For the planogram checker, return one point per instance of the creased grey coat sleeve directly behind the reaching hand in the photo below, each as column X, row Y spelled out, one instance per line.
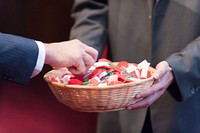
column 90, row 23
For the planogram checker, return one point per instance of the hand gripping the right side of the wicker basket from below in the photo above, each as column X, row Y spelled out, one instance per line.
column 163, row 78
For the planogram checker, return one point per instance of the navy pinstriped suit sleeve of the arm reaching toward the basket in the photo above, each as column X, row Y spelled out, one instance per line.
column 18, row 57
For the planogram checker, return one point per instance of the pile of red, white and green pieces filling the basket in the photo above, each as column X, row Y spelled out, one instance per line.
column 105, row 73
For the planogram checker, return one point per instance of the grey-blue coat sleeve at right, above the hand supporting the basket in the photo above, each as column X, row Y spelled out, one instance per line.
column 186, row 69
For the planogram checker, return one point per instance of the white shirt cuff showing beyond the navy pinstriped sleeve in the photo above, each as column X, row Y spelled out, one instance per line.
column 40, row 59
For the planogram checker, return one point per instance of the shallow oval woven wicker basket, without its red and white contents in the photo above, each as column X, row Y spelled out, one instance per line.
column 93, row 98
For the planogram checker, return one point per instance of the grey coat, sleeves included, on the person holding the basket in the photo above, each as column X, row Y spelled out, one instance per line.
column 135, row 30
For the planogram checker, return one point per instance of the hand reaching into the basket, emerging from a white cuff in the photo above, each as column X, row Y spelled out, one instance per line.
column 75, row 55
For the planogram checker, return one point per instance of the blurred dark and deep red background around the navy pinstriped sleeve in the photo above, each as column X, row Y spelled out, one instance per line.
column 33, row 108
